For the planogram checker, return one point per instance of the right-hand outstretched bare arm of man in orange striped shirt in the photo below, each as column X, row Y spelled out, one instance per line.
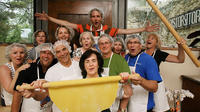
column 148, row 28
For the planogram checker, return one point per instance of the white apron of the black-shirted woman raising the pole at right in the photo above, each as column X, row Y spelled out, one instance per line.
column 160, row 97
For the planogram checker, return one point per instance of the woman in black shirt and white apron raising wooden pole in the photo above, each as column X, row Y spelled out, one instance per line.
column 153, row 45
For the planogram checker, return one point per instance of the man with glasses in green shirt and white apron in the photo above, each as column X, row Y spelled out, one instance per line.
column 114, row 64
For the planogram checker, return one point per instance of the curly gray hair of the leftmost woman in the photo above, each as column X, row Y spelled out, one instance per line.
column 10, row 47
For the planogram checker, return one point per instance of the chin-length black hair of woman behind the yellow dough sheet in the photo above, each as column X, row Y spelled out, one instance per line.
column 86, row 55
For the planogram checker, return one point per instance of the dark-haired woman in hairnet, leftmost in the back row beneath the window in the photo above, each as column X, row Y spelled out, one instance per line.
column 39, row 37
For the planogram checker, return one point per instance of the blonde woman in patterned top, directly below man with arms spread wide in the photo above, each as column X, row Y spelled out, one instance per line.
column 87, row 41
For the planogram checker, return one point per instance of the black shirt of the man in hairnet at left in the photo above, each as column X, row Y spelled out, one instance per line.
column 30, row 74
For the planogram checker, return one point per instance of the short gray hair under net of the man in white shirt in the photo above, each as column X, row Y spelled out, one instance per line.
column 61, row 42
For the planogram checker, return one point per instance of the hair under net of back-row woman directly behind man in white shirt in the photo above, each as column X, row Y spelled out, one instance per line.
column 70, row 30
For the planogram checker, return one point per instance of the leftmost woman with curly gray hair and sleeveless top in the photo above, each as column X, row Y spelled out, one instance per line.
column 16, row 55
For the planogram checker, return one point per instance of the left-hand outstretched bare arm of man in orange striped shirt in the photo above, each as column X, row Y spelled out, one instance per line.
column 44, row 16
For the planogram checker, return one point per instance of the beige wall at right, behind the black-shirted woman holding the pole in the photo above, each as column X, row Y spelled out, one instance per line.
column 171, row 72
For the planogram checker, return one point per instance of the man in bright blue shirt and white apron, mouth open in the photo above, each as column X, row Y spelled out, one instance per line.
column 145, row 84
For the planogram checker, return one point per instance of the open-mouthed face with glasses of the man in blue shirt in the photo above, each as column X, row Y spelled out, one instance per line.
column 134, row 46
